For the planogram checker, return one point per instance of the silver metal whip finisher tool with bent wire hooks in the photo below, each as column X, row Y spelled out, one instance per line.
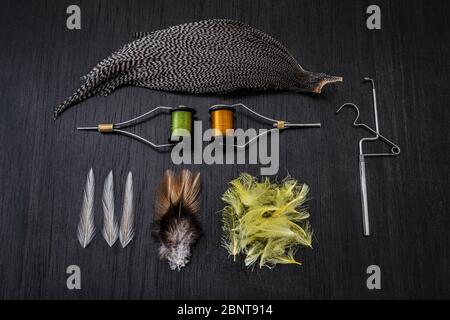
column 394, row 151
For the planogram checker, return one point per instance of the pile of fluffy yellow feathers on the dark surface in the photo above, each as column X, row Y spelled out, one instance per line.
column 265, row 220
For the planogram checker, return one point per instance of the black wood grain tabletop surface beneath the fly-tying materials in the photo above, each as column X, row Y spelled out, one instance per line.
column 44, row 163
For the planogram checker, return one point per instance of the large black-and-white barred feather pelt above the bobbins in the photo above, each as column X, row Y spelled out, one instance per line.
column 210, row 56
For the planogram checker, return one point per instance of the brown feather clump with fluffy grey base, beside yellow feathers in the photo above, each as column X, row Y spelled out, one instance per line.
column 177, row 206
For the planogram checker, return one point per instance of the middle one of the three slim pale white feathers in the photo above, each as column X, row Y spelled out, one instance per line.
column 110, row 228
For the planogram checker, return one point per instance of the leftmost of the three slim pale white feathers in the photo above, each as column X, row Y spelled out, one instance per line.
column 86, row 226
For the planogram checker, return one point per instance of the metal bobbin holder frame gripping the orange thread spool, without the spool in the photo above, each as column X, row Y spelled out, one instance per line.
column 276, row 124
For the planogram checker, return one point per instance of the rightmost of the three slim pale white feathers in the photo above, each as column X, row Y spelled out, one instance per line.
column 127, row 222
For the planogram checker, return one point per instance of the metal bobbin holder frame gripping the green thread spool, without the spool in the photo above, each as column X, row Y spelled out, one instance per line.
column 118, row 127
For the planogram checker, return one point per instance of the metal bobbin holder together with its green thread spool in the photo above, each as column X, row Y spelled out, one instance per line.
column 180, row 125
